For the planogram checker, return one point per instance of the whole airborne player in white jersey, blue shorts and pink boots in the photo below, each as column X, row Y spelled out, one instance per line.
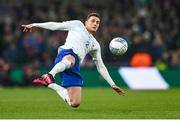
column 79, row 42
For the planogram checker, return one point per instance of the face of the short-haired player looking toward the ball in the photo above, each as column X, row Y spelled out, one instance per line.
column 92, row 24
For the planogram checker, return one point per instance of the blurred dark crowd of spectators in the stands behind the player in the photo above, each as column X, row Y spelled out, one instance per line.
column 151, row 27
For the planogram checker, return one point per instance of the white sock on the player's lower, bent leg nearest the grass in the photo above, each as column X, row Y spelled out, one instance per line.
column 62, row 92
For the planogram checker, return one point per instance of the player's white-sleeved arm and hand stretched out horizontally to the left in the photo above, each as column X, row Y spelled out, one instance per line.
column 65, row 26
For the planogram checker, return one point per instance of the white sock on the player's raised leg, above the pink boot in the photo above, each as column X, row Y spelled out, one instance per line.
column 59, row 67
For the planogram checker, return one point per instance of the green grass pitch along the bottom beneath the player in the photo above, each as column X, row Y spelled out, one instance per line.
column 96, row 103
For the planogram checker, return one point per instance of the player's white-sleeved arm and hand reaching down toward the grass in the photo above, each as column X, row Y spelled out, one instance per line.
column 104, row 72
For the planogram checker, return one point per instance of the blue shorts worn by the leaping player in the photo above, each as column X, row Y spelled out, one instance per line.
column 70, row 77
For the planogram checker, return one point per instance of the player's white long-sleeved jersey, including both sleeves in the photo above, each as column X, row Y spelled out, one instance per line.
column 81, row 41
